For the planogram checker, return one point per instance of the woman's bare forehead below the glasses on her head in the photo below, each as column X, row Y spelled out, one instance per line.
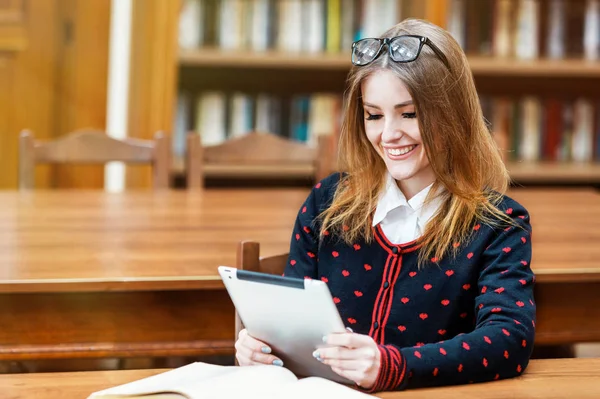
column 383, row 87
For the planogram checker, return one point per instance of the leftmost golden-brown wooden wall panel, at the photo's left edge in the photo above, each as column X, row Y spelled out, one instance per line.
column 28, row 37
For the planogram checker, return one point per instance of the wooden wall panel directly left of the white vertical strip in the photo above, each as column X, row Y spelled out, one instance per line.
column 82, row 81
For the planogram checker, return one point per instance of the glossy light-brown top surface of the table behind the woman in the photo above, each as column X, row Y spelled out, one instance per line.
column 92, row 240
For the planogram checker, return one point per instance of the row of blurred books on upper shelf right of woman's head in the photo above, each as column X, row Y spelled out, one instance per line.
column 527, row 29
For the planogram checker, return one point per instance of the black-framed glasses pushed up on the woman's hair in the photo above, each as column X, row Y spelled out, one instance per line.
column 405, row 48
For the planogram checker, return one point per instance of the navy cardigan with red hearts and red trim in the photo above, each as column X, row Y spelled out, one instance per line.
column 465, row 319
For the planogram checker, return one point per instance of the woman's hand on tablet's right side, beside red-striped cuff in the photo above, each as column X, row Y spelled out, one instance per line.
column 353, row 356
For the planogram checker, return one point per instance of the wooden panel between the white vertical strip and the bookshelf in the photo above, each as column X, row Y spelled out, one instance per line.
column 153, row 75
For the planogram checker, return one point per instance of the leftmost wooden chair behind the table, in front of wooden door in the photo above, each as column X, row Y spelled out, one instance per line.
column 93, row 146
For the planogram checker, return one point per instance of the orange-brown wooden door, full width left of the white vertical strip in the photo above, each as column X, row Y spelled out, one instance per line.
column 53, row 79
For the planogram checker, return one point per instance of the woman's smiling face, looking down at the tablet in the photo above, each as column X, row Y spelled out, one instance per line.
column 391, row 126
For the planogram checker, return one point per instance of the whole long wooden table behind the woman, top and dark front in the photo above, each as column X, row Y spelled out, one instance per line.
column 93, row 274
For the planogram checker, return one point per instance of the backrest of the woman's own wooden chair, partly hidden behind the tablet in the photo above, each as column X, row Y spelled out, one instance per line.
column 248, row 258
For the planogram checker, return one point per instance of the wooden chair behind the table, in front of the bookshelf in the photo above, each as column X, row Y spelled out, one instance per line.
column 257, row 155
